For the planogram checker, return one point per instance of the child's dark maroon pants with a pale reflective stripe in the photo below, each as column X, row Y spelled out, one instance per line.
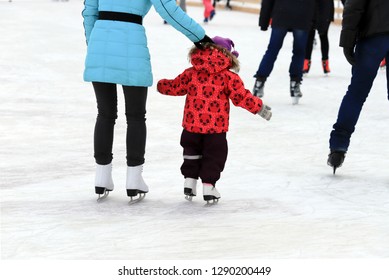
column 204, row 155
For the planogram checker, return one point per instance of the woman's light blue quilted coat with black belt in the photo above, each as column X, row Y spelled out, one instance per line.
column 117, row 51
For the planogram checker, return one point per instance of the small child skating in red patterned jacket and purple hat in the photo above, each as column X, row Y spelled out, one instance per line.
column 209, row 85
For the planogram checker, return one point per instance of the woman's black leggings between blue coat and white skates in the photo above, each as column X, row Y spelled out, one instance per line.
column 135, row 103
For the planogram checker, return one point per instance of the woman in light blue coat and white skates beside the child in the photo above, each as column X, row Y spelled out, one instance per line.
column 117, row 53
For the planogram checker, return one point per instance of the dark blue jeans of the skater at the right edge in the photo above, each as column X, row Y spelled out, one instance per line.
column 368, row 55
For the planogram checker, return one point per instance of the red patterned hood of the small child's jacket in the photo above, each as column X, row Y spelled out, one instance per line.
column 211, row 60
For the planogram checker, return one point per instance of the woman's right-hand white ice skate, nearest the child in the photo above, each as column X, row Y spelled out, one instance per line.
column 136, row 186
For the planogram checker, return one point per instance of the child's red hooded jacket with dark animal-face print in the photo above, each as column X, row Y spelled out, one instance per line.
column 208, row 86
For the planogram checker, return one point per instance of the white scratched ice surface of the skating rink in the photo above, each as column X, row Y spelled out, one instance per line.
column 279, row 197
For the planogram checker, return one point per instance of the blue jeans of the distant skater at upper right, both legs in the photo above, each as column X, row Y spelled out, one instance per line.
column 276, row 40
